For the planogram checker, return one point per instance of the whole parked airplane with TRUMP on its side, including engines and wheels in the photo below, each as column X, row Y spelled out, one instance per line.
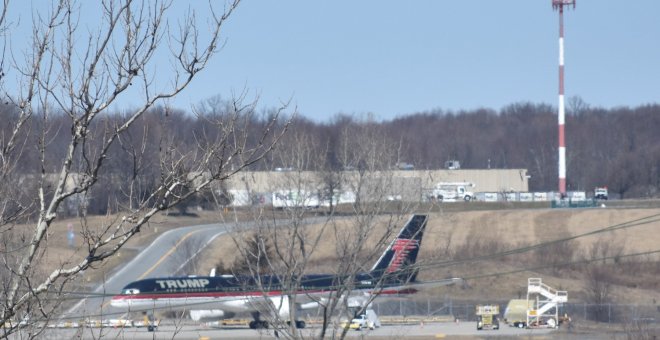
column 211, row 298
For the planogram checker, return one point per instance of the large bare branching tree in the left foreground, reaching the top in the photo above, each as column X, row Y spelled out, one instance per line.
column 73, row 76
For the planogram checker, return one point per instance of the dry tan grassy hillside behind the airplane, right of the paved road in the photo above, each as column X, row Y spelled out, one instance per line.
column 464, row 235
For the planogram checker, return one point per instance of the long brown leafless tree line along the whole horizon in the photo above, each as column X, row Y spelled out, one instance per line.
column 618, row 148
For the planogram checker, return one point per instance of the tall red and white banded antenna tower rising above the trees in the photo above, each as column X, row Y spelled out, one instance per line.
column 559, row 5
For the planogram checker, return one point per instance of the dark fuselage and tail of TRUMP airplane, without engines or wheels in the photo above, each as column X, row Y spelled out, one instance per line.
column 391, row 274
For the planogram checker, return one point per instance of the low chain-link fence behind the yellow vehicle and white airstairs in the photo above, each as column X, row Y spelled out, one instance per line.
column 461, row 310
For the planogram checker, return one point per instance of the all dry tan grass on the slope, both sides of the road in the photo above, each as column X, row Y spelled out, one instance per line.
column 459, row 231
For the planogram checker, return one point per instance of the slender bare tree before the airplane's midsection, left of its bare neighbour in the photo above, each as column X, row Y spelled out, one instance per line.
column 294, row 243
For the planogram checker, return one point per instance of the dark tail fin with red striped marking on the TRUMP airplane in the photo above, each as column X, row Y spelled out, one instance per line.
column 396, row 262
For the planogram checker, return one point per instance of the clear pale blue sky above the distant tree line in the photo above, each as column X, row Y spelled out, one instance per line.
column 392, row 58
